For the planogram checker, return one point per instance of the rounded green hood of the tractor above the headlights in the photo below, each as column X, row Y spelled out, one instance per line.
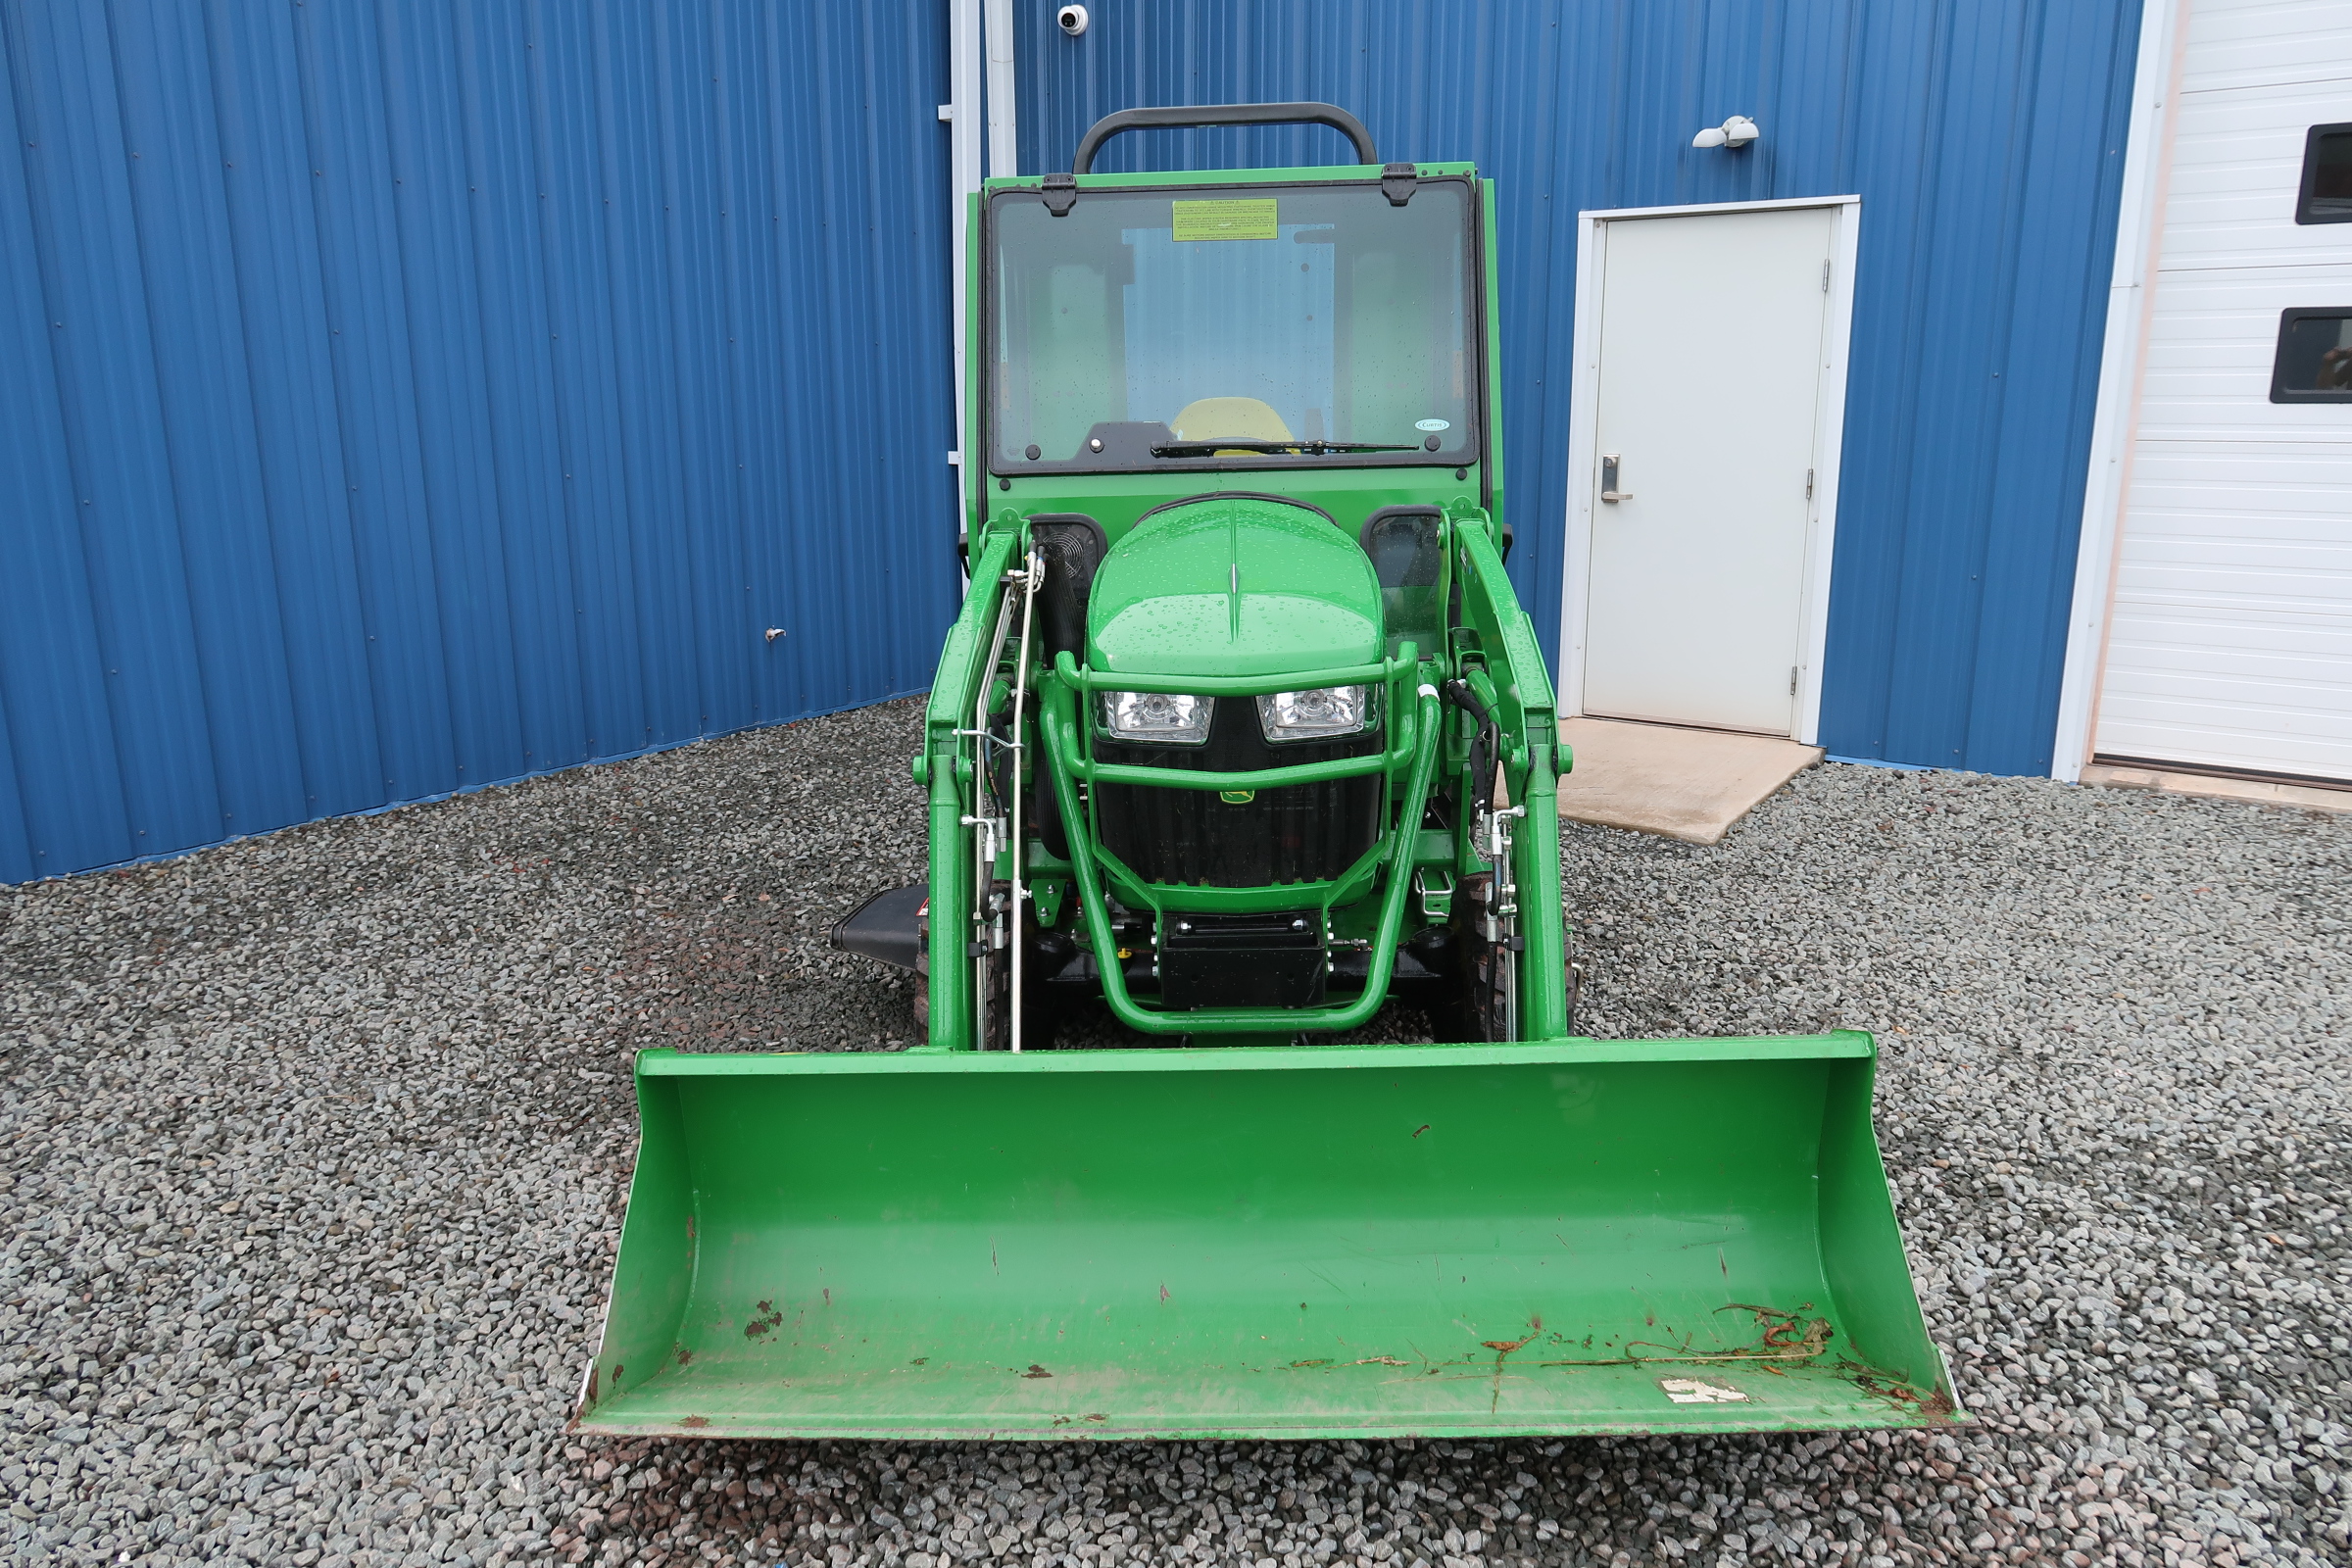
column 1234, row 587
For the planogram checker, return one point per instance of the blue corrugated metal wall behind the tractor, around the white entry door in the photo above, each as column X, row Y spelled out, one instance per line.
column 1986, row 142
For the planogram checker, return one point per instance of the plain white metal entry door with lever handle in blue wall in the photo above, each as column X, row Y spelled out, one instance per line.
column 1709, row 401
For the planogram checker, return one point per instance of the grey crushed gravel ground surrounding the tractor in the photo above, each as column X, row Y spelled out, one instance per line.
column 316, row 1151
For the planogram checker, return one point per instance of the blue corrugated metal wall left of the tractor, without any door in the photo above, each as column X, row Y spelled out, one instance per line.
column 410, row 396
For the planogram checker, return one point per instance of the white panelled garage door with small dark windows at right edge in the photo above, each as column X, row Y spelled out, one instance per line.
column 2231, row 643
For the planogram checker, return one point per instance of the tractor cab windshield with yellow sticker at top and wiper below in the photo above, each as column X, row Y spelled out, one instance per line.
column 1274, row 323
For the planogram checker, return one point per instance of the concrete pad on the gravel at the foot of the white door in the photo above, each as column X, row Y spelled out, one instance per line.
column 1681, row 784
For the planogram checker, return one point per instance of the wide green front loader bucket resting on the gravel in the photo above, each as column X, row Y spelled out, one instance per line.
column 1568, row 1238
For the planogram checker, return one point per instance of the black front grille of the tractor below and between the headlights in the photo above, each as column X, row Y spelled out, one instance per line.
column 1302, row 833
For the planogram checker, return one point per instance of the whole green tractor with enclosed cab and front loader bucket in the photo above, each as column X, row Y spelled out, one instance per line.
column 1238, row 746
